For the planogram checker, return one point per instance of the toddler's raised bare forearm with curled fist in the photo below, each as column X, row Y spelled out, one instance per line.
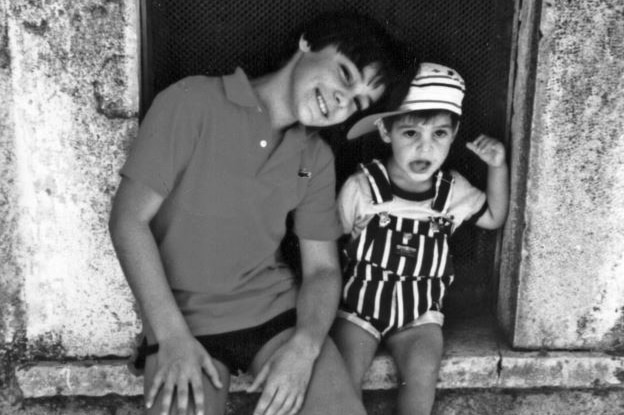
column 492, row 152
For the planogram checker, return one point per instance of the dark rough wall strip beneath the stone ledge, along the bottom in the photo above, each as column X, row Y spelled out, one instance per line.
column 458, row 402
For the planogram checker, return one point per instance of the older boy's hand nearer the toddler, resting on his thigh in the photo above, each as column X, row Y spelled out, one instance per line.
column 285, row 377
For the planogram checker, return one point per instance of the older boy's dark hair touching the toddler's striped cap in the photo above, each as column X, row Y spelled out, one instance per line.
column 364, row 41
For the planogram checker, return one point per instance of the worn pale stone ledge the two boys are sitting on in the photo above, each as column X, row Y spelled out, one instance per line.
column 474, row 358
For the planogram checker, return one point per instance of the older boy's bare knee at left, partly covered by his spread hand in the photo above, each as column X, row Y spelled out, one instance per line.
column 214, row 399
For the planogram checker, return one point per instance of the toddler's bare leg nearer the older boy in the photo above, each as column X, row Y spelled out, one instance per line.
column 357, row 347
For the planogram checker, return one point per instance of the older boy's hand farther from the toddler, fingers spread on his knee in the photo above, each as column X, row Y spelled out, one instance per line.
column 181, row 360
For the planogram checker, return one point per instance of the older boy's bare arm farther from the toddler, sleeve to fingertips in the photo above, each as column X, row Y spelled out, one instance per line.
column 180, row 358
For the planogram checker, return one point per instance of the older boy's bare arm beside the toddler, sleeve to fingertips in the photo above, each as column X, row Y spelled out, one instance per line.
column 289, row 370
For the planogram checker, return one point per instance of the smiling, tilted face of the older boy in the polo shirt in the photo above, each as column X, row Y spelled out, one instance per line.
column 327, row 87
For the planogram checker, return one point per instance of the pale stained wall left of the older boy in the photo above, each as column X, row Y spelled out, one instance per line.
column 69, row 73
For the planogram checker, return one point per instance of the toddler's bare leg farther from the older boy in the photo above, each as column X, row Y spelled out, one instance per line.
column 417, row 352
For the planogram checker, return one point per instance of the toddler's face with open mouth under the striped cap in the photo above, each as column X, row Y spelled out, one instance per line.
column 419, row 147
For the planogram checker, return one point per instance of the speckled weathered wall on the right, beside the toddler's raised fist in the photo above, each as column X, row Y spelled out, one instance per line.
column 571, row 285
